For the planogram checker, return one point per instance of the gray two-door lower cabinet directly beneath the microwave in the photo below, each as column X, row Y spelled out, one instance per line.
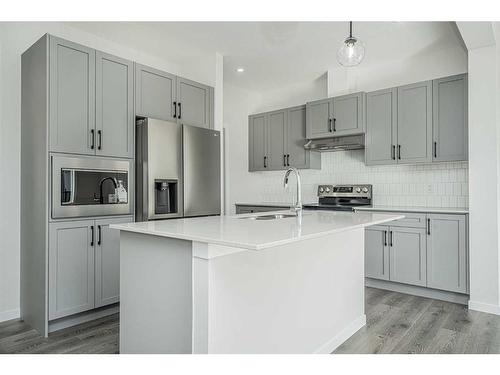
column 84, row 265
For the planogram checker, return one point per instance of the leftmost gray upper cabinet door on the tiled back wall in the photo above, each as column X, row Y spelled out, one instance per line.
column 257, row 159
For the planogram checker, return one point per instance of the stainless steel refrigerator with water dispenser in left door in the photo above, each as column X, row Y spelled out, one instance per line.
column 178, row 170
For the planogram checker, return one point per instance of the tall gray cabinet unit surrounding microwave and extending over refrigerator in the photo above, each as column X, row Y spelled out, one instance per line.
column 81, row 103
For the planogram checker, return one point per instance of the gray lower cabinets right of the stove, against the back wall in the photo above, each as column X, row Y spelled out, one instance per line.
column 428, row 250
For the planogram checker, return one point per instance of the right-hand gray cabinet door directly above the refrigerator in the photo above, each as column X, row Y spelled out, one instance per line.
column 193, row 103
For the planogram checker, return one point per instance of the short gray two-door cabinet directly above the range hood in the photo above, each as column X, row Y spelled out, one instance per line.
column 335, row 117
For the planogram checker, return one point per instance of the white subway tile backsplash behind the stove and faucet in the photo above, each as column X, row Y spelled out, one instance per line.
column 432, row 185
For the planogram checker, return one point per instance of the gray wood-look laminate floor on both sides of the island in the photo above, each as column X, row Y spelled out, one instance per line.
column 396, row 323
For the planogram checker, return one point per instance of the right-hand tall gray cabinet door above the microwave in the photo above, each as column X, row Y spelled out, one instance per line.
column 114, row 106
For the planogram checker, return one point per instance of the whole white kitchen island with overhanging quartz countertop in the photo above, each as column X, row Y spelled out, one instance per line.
column 244, row 283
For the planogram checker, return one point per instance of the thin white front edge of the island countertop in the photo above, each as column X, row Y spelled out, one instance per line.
column 247, row 246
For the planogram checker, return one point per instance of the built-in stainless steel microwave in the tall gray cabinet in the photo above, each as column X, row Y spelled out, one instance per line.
column 90, row 186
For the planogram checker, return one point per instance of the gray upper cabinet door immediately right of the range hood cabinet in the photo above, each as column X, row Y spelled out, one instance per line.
column 381, row 127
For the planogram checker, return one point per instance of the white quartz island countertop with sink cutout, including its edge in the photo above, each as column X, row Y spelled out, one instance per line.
column 238, row 231
